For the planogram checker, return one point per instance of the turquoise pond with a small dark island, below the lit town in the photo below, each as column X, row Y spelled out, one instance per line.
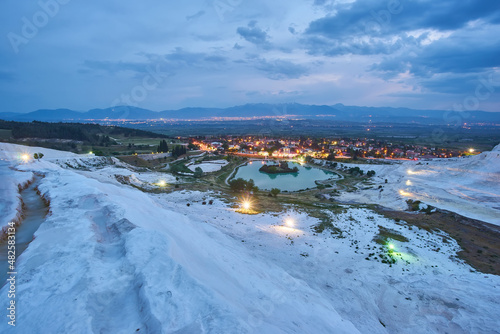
column 304, row 179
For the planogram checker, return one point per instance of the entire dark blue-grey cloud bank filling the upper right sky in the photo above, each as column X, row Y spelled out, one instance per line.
column 457, row 41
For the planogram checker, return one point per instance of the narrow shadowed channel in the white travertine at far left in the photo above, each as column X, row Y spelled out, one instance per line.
column 34, row 214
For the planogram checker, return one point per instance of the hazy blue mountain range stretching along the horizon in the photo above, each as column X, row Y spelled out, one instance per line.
column 338, row 112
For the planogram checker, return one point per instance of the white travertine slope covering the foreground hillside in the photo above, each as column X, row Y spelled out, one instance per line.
column 110, row 258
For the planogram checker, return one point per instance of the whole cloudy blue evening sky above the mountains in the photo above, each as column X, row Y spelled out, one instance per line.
column 216, row 53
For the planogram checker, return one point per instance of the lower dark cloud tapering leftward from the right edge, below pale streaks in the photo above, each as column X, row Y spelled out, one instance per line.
column 452, row 65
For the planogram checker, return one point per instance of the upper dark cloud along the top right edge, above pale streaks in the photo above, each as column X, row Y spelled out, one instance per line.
column 380, row 27
